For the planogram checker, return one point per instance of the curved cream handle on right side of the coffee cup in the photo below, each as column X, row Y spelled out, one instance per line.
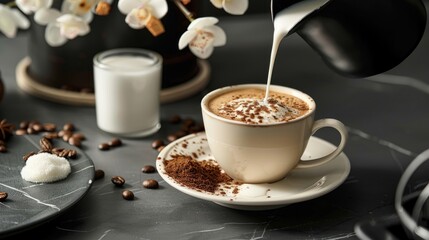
column 328, row 122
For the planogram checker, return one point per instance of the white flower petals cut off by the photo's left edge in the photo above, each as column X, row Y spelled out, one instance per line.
column 11, row 20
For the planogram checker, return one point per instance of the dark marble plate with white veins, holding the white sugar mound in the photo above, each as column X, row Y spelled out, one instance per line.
column 29, row 204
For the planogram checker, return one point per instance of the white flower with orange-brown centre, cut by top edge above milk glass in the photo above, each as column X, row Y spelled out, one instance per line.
column 139, row 11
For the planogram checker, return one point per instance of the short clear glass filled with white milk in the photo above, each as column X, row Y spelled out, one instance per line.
column 127, row 89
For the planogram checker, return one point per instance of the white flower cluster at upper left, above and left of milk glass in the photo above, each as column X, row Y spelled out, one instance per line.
column 61, row 27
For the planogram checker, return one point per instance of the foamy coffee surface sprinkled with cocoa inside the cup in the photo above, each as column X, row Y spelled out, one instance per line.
column 249, row 106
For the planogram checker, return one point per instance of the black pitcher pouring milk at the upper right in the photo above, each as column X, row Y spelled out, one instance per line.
column 361, row 38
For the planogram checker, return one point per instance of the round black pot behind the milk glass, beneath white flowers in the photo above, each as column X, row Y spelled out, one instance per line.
column 70, row 66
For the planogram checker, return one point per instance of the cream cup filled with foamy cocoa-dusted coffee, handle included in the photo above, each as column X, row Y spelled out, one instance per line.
column 258, row 140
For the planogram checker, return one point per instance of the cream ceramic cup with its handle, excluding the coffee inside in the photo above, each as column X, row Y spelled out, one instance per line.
column 265, row 153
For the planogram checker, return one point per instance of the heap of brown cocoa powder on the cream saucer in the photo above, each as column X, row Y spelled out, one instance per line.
column 201, row 175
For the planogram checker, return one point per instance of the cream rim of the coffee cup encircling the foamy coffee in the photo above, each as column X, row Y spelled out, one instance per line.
column 294, row 92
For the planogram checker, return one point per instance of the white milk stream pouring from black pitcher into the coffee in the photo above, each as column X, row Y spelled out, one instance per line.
column 284, row 21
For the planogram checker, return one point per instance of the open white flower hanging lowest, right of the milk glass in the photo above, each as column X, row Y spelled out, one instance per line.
column 202, row 36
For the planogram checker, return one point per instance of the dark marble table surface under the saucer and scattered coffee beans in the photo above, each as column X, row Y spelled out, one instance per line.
column 387, row 117
